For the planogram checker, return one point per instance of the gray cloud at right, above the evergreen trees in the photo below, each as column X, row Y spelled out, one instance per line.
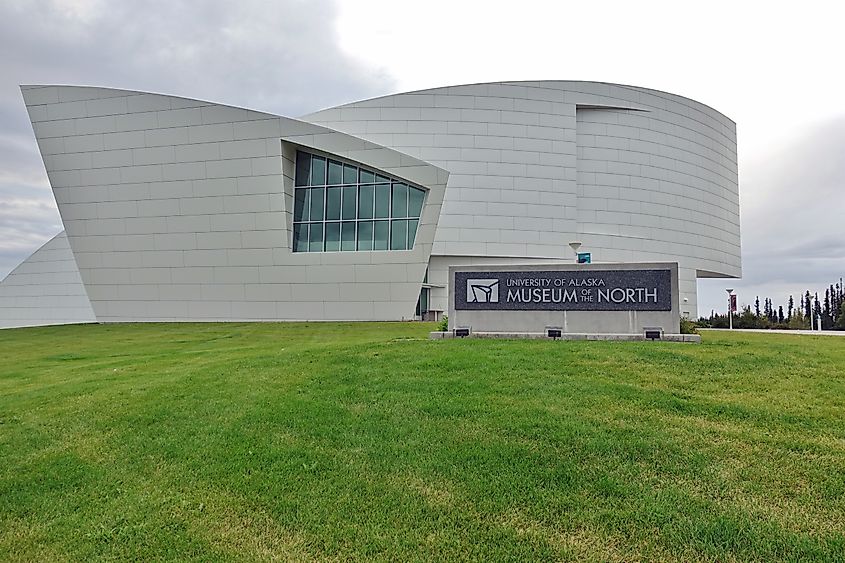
column 793, row 212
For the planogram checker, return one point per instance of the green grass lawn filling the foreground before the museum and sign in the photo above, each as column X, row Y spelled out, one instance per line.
column 368, row 441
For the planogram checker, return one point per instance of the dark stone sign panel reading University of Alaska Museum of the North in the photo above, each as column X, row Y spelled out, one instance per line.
column 562, row 290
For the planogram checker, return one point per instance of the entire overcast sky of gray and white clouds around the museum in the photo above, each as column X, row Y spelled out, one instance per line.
column 774, row 68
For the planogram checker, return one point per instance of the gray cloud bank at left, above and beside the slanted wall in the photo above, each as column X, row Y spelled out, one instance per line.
column 279, row 57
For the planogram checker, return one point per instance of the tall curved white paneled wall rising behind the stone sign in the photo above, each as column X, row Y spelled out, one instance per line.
column 635, row 174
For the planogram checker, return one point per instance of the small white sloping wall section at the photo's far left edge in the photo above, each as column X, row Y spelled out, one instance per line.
column 45, row 289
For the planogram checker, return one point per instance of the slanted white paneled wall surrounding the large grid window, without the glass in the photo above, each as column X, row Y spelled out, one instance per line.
column 180, row 209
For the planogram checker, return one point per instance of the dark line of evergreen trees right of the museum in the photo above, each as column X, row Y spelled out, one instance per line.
column 830, row 308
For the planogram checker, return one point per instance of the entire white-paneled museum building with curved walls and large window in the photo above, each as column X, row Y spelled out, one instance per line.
column 177, row 209
